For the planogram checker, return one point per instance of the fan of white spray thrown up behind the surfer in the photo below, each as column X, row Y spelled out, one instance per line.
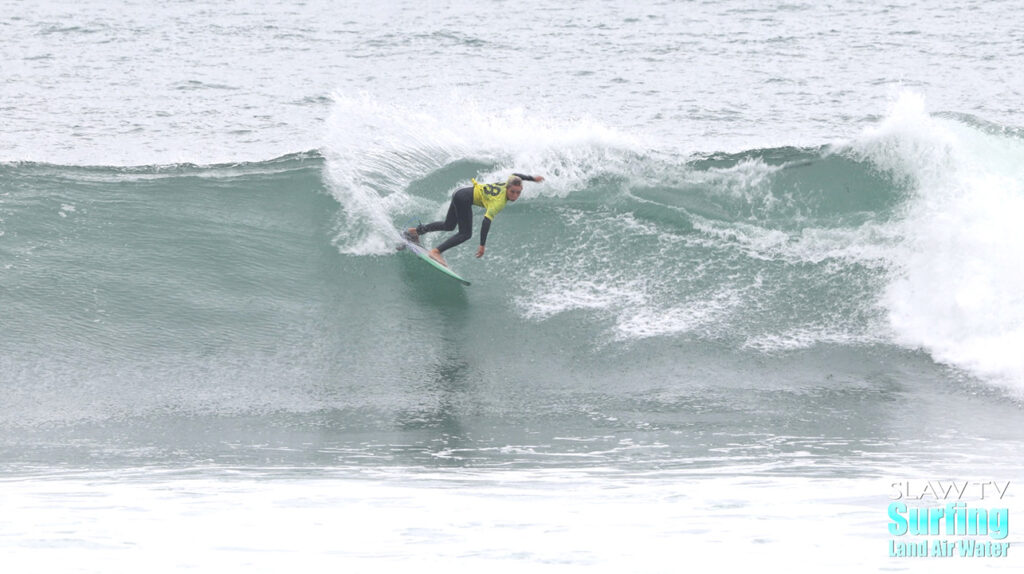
column 376, row 149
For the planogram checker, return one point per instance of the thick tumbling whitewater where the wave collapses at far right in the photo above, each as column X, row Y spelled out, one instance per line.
column 959, row 291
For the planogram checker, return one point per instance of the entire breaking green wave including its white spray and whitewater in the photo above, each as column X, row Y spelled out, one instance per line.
column 633, row 275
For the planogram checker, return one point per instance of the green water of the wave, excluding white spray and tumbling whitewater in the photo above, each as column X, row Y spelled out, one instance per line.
column 726, row 315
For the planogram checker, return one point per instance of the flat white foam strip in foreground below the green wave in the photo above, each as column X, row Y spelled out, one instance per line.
column 507, row 521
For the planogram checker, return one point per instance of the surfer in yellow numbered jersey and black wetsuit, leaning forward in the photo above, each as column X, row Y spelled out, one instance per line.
column 491, row 197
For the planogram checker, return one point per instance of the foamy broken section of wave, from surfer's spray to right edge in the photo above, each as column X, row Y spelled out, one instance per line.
column 905, row 235
